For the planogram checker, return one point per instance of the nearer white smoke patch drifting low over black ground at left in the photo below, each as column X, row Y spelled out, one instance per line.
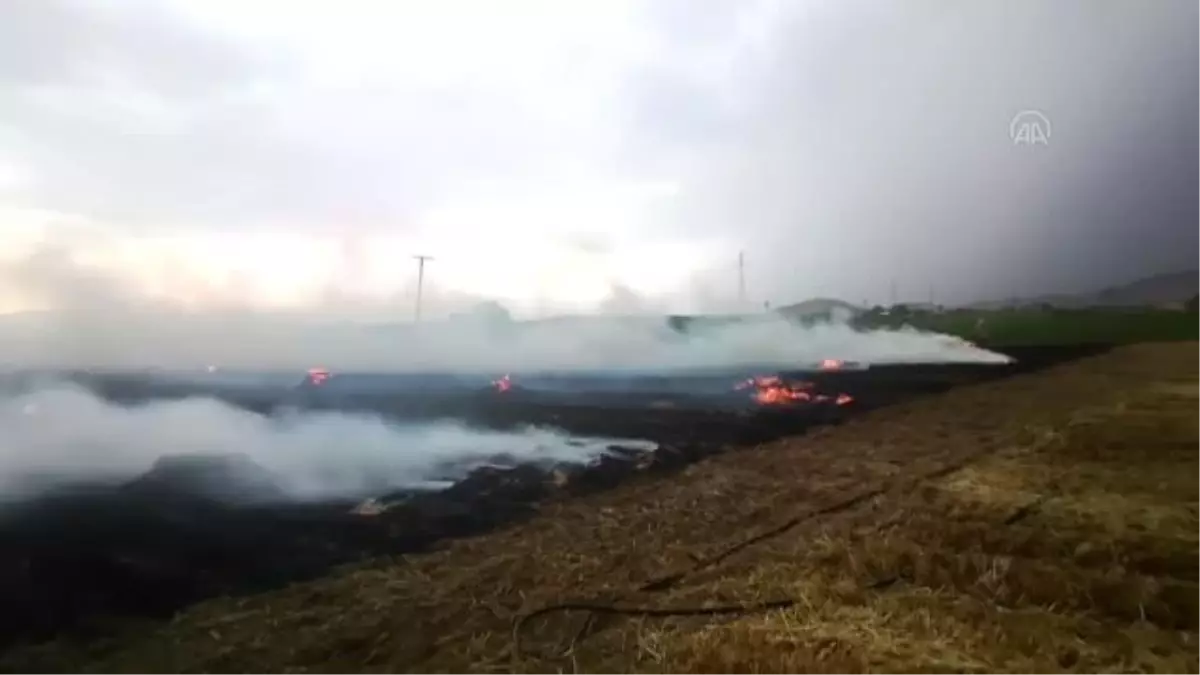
column 61, row 434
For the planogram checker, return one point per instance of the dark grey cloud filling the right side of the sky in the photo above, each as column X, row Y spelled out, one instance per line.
column 879, row 152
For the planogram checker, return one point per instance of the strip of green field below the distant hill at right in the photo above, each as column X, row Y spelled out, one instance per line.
column 1051, row 327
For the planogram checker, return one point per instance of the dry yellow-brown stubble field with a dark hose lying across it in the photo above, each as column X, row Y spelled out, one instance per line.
column 1041, row 524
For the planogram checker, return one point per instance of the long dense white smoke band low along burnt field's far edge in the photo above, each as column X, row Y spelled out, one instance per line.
column 641, row 344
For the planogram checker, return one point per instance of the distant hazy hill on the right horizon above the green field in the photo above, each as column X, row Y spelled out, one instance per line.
column 1162, row 290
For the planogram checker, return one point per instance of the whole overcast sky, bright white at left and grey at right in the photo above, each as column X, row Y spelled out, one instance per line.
column 581, row 156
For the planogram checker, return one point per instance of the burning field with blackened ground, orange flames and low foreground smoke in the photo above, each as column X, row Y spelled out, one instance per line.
column 190, row 492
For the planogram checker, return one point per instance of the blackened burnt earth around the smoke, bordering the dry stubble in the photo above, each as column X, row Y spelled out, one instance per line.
column 195, row 528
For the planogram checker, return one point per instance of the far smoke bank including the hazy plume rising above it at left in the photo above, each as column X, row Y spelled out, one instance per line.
column 97, row 322
